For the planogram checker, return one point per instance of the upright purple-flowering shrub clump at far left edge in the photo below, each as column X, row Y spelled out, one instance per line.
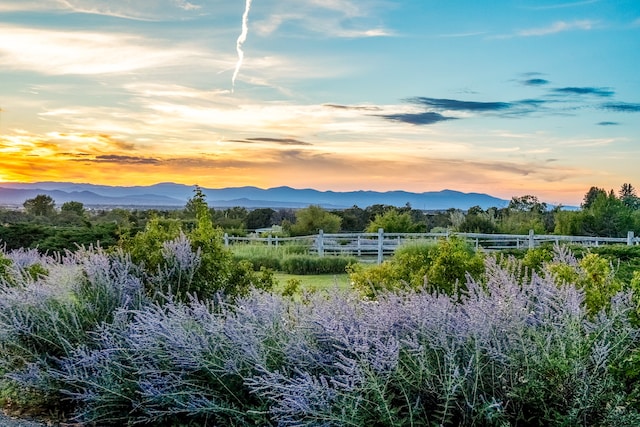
column 46, row 318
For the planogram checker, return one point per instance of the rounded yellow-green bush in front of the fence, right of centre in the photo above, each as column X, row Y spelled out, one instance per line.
column 435, row 267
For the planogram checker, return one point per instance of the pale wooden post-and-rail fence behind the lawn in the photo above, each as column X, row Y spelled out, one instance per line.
column 380, row 244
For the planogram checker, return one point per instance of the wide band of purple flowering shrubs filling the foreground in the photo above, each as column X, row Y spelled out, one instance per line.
column 515, row 347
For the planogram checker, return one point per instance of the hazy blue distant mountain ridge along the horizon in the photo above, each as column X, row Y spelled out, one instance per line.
column 173, row 195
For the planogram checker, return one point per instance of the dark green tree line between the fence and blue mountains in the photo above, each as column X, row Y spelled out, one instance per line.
column 41, row 224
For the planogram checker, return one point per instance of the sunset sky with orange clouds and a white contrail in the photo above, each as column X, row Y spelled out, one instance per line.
column 508, row 98
